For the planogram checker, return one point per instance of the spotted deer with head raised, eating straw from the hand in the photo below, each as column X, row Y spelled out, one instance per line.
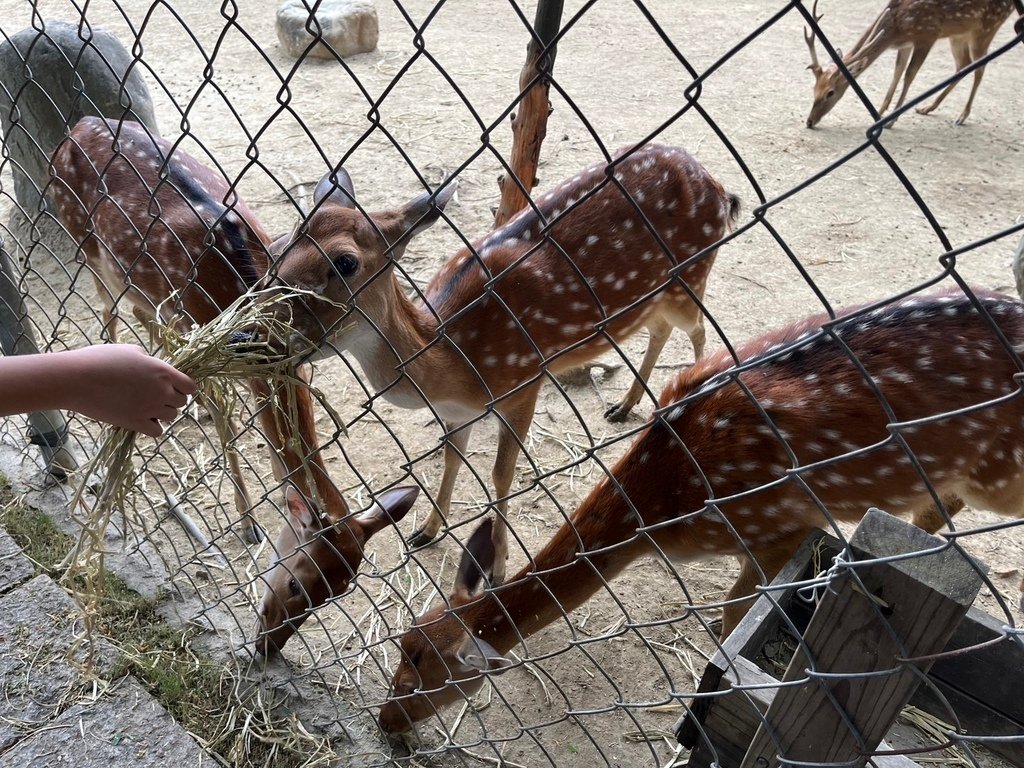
column 561, row 284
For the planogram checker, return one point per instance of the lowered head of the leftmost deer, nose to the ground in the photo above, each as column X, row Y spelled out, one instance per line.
column 322, row 559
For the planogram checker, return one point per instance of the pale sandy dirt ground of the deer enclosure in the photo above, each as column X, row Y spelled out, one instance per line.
column 612, row 697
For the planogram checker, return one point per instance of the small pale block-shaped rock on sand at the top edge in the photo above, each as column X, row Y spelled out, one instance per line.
column 349, row 27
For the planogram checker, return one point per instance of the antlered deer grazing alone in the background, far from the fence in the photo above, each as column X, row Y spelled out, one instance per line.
column 912, row 27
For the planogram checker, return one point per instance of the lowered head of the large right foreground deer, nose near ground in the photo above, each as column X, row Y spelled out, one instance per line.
column 442, row 660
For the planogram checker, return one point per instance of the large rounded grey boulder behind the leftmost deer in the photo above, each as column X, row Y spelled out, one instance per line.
column 52, row 79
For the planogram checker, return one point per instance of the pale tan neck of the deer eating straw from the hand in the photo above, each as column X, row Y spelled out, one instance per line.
column 400, row 353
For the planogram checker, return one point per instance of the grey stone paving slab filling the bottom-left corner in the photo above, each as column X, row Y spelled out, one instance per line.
column 124, row 728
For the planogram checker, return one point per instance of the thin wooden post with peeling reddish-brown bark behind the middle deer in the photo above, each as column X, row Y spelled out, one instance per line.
column 530, row 125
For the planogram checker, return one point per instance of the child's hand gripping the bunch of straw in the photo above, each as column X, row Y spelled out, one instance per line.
column 123, row 386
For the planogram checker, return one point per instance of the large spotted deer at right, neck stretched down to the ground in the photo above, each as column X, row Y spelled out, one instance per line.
column 747, row 460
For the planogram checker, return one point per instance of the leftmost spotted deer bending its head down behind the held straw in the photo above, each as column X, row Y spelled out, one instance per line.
column 172, row 236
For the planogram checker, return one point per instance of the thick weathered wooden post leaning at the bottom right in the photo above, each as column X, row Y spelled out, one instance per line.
column 866, row 624
